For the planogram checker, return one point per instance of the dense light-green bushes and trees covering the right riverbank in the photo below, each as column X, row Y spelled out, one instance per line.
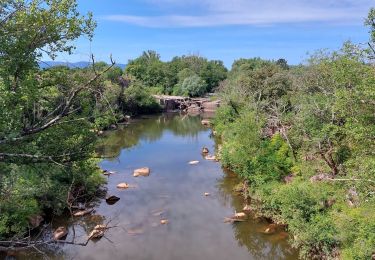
column 303, row 138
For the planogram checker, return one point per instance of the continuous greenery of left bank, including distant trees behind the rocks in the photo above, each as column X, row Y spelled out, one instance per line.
column 49, row 118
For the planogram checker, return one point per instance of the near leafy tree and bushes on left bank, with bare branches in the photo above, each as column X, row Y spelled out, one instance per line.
column 47, row 117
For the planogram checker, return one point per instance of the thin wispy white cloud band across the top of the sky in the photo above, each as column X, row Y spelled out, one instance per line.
column 250, row 12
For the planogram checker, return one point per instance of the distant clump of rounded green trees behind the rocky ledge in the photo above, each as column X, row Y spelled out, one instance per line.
column 187, row 75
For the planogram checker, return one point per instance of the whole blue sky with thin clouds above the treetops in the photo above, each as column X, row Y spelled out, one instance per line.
column 221, row 29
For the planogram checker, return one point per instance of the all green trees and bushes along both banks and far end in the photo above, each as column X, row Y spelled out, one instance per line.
column 301, row 136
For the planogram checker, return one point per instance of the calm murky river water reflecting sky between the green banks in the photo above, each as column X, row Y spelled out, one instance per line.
column 174, row 191
